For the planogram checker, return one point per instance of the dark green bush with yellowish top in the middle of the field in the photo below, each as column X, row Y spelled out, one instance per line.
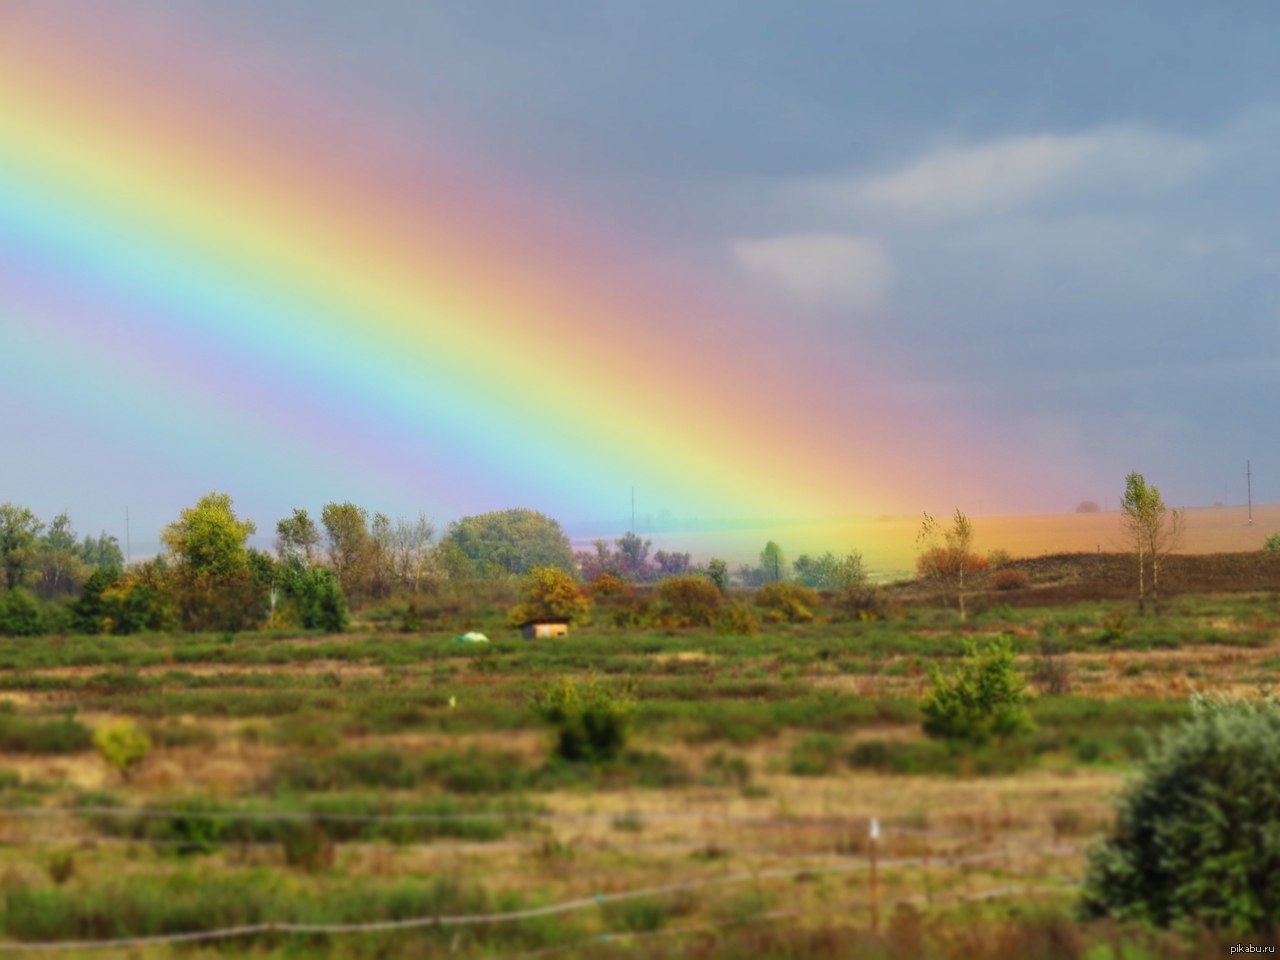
column 591, row 721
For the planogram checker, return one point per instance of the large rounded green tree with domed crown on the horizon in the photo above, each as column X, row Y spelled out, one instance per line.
column 511, row 543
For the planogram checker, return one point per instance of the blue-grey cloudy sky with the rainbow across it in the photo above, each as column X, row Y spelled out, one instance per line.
column 761, row 264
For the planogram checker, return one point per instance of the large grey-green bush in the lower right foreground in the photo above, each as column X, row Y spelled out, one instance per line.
column 1196, row 833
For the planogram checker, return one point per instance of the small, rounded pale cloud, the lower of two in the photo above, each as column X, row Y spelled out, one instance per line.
column 824, row 268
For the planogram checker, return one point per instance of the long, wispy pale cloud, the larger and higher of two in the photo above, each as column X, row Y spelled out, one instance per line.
column 1005, row 176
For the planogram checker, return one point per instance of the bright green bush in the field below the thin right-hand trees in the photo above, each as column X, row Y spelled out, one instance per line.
column 982, row 701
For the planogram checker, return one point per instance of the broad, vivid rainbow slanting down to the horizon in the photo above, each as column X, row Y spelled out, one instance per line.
column 254, row 284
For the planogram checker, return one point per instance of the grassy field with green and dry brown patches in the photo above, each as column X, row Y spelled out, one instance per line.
column 394, row 776
